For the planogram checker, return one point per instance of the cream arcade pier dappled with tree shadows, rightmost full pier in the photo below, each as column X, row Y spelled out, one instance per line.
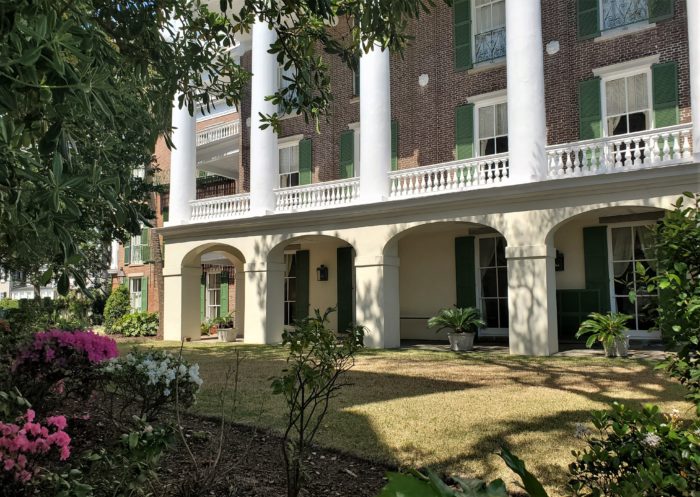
column 532, row 302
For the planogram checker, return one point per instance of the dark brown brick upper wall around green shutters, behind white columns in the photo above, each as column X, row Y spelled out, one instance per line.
column 426, row 115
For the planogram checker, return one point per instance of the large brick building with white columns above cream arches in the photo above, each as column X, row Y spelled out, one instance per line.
column 512, row 160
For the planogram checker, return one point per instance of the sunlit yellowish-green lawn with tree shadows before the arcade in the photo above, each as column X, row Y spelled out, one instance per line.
column 449, row 411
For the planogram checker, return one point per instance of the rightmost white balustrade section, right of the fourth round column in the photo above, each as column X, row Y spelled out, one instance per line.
column 658, row 147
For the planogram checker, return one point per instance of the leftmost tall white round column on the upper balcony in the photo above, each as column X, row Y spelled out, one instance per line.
column 183, row 180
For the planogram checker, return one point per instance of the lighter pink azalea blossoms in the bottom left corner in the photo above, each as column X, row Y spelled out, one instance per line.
column 24, row 443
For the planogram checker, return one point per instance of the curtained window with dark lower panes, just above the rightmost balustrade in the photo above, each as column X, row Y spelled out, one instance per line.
column 627, row 103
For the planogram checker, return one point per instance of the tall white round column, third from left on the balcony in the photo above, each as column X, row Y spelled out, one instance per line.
column 375, row 125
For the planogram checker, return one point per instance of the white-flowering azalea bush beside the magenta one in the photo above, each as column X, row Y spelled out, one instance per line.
column 146, row 382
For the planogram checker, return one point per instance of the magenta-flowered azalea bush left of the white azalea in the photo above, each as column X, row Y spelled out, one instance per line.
column 59, row 363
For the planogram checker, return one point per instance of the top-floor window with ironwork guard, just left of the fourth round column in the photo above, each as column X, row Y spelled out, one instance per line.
column 489, row 30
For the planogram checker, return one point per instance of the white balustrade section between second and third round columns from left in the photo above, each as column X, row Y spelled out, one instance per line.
column 319, row 195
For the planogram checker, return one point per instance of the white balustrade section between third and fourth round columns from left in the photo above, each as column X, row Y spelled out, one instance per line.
column 449, row 177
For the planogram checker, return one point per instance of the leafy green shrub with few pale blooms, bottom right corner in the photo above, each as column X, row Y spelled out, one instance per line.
column 638, row 453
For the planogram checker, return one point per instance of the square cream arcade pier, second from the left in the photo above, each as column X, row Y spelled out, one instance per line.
column 264, row 318
